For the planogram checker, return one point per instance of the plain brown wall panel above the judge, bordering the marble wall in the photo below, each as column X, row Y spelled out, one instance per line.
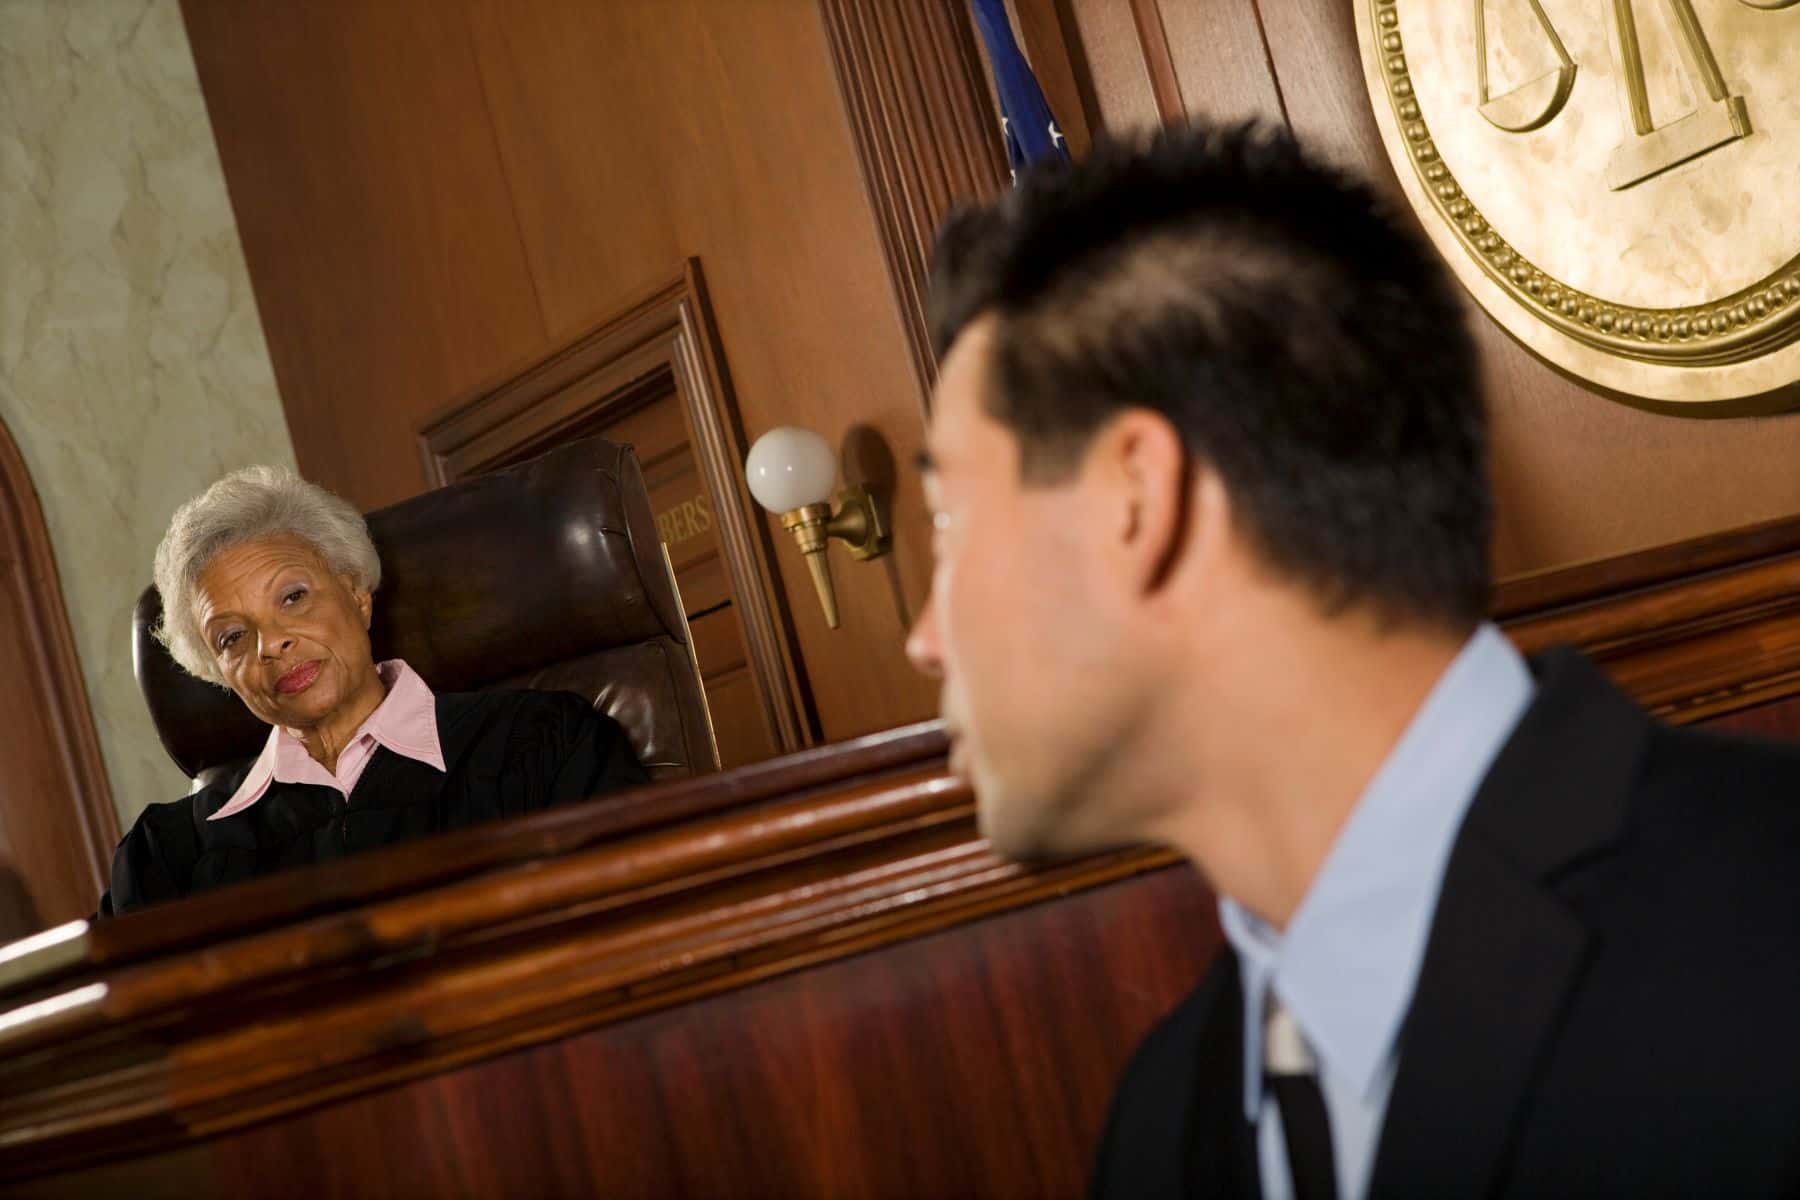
column 375, row 220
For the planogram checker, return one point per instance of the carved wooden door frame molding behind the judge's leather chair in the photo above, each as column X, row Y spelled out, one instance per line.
column 663, row 343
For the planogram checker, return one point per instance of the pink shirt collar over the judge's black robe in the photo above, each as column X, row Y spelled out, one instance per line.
column 406, row 722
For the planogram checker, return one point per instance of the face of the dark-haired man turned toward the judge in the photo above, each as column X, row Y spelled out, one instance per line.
column 1021, row 627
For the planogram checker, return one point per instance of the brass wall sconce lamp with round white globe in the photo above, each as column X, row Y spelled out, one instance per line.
column 791, row 472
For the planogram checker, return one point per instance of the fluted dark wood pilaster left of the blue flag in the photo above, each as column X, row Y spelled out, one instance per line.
column 926, row 132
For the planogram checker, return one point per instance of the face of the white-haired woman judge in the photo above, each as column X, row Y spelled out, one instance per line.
column 289, row 636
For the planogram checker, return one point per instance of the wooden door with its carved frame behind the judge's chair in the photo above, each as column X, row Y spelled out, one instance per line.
column 652, row 377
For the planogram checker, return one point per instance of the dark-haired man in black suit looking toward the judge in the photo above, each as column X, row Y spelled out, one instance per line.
column 1212, row 526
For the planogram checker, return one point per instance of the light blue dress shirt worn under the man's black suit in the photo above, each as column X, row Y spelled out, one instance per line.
column 1349, row 962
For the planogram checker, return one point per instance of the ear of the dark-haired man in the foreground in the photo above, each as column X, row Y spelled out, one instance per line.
column 1151, row 487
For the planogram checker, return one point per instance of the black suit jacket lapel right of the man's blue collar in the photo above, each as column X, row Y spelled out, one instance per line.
column 1506, row 956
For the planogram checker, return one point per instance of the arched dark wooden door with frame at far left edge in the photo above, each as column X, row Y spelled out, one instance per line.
column 58, row 827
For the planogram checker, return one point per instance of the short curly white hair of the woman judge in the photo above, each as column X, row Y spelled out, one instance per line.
column 247, row 505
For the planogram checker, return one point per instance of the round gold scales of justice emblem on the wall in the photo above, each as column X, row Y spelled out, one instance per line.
column 1614, row 181
